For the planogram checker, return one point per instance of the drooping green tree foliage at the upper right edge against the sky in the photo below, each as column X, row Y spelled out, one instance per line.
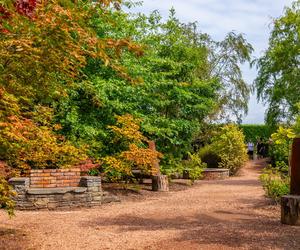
column 277, row 83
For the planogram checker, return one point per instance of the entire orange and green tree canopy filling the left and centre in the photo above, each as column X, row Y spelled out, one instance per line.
column 78, row 77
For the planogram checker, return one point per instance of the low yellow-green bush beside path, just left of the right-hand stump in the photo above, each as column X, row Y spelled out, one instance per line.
column 275, row 183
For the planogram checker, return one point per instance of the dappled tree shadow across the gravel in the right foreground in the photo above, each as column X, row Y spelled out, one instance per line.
column 225, row 228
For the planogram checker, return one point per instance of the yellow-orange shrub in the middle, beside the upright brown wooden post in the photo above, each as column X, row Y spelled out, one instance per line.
column 131, row 151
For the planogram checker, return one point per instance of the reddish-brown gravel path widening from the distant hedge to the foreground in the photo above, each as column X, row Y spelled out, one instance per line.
column 229, row 214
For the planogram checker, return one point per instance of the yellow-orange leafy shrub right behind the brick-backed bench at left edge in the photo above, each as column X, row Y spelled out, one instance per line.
column 27, row 144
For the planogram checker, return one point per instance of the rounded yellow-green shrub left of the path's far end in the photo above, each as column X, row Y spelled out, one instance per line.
column 229, row 145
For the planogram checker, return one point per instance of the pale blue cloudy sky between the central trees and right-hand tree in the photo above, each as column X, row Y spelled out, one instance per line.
column 218, row 17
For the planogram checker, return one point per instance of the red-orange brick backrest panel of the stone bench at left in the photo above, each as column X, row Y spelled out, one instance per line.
column 52, row 178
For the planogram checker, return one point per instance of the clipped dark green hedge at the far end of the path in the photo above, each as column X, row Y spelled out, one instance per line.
column 253, row 132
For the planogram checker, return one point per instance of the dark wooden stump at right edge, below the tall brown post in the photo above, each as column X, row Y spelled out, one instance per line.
column 290, row 210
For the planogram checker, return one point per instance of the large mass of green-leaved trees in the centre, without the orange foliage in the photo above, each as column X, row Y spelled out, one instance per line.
column 182, row 74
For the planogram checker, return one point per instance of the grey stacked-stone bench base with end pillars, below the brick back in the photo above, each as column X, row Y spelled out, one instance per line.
column 88, row 193
